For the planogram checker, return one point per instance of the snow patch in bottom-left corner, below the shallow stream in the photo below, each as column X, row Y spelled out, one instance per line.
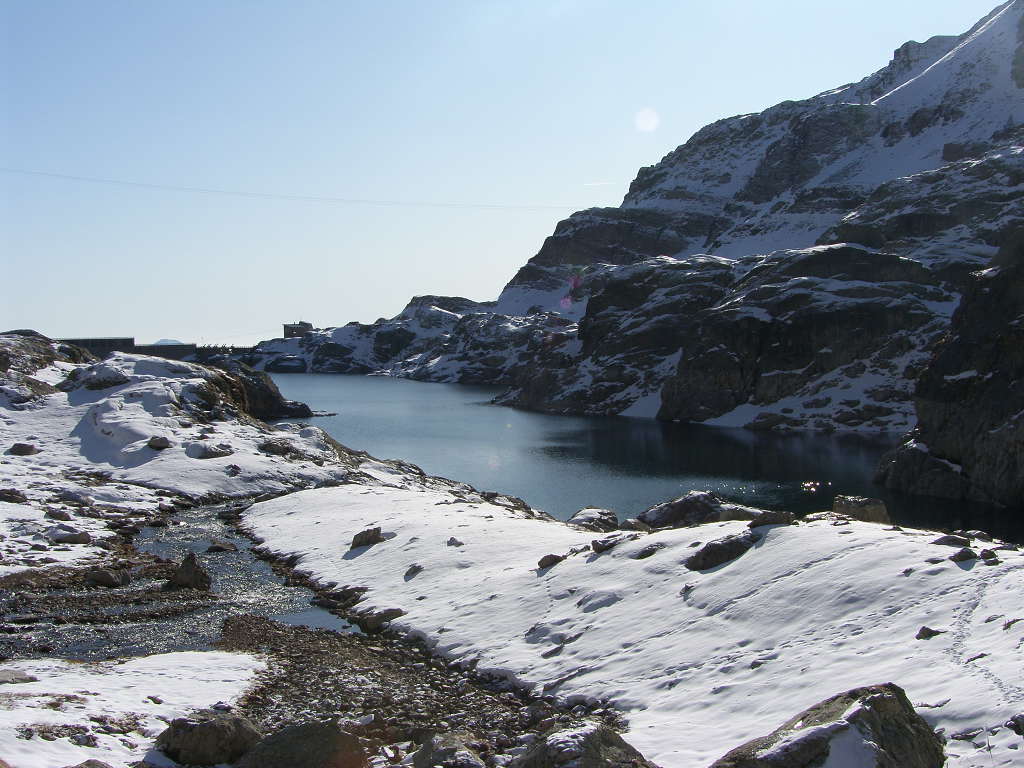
column 87, row 696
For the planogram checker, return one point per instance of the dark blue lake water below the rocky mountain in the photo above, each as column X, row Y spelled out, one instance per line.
column 563, row 463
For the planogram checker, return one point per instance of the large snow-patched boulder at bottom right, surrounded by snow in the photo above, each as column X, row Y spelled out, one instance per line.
column 871, row 728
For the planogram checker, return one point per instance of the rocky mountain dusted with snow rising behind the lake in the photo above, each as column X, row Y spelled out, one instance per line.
column 792, row 269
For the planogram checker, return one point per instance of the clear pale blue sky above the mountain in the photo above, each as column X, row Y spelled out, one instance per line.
column 538, row 107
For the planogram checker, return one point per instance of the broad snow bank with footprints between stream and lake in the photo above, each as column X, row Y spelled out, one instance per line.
column 810, row 612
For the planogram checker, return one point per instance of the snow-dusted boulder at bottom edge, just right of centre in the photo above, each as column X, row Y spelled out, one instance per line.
column 592, row 746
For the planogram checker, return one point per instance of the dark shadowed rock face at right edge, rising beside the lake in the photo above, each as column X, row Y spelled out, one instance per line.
column 969, row 443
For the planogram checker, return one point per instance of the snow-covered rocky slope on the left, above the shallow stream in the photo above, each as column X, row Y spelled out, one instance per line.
column 107, row 431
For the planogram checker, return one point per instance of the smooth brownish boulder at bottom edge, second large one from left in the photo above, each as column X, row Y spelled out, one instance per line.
column 307, row 746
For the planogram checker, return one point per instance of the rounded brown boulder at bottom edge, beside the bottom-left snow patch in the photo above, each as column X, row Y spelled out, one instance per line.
column 209, row 739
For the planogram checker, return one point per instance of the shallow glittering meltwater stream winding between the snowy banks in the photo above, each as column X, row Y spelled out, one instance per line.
column 142, row 618
